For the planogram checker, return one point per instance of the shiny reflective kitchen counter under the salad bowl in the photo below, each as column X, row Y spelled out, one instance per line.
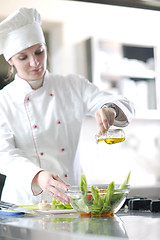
column 124, row 225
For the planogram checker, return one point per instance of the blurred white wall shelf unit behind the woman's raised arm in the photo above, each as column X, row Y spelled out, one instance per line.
column 129, row 70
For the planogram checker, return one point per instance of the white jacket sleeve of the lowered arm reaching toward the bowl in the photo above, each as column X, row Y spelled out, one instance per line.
column 13, row 161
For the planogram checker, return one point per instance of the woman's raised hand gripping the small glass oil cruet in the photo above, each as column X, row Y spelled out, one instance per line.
column 105, row 118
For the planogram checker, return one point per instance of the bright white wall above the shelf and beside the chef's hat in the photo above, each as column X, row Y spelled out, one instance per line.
column 80, row 21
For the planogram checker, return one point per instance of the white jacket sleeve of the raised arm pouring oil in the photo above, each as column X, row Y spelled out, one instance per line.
column 94, row 99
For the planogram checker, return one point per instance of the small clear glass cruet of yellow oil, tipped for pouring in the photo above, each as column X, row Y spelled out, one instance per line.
column 111, row 136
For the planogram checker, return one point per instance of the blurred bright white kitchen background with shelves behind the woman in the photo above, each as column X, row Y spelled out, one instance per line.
column 118, row 49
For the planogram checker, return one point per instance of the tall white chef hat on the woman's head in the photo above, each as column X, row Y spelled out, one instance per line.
column 20, row 30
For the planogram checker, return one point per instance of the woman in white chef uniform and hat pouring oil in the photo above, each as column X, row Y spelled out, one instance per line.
column 41, row 115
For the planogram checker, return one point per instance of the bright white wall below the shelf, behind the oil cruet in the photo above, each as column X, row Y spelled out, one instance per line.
column 140, row 153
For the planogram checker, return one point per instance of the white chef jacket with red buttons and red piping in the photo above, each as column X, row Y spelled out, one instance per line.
column 40, row 129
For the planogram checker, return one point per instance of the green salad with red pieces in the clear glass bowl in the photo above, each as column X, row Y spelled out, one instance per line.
column 99, row 201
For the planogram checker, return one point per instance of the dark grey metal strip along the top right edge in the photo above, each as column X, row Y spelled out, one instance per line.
column 143, row 4
